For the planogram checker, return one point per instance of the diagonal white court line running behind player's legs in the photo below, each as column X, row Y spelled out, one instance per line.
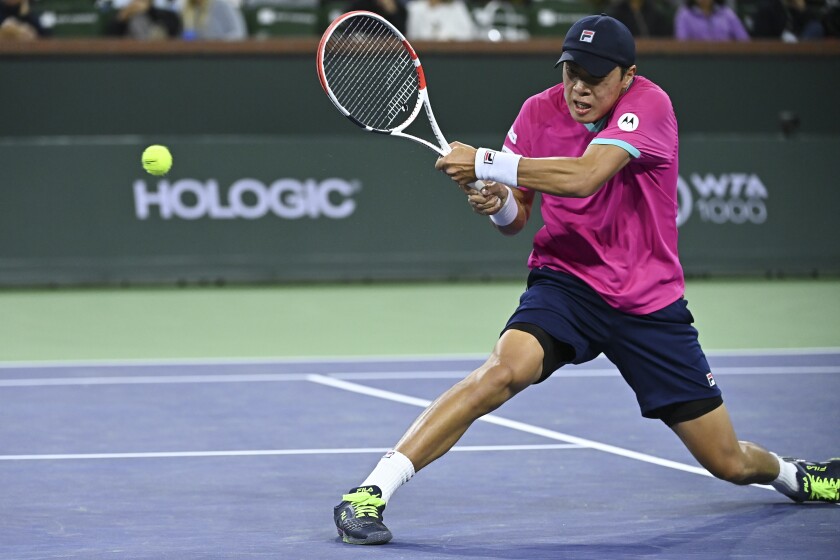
column 520, row 426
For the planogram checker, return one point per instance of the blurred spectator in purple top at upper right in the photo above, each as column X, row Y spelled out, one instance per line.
column 708, row 20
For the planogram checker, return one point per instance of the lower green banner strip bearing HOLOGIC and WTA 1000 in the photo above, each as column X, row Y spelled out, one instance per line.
column 364, row 207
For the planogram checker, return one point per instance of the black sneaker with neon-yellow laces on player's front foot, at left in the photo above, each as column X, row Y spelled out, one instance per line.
column 358, row 517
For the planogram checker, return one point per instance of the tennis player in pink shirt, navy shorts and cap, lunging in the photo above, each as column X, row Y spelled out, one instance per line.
column 605, row 277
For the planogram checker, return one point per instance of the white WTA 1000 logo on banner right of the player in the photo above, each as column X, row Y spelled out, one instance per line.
column 734, row 198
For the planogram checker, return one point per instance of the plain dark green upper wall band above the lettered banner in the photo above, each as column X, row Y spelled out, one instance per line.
column 260, row 94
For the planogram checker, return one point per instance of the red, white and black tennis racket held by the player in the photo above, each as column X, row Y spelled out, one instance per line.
column 374, row 78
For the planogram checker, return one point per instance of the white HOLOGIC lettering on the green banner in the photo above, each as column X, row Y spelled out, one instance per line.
column 249, row 199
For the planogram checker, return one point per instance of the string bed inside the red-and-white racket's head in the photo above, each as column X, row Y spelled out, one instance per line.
column 370, row 72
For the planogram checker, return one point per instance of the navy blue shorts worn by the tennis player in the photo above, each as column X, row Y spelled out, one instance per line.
column 659, row 354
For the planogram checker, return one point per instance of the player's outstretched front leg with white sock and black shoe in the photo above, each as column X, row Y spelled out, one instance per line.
column 516, row 363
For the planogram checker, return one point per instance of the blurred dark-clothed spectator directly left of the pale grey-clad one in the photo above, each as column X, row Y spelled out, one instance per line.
column 142, row 19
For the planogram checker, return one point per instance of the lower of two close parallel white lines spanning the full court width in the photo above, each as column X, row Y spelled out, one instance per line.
column 398, row 375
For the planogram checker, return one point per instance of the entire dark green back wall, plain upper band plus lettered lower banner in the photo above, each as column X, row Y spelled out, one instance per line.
column 73, row 129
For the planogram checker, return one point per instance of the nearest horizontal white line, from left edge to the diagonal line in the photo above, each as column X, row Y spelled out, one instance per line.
column 267, row 452
